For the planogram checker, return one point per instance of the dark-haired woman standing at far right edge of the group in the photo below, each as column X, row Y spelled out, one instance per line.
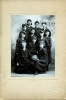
column 47, row 35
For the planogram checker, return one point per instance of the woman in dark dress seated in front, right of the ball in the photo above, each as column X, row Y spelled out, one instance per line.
column 42, row 60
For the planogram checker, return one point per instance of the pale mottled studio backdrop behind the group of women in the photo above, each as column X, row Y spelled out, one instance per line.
column 16, row 27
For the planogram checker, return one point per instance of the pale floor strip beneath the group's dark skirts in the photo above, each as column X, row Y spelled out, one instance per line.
column 51, row 72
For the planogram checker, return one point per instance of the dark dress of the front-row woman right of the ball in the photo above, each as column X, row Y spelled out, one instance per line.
column 42, row 63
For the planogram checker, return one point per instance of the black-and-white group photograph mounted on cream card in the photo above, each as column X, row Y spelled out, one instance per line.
column 32, row 45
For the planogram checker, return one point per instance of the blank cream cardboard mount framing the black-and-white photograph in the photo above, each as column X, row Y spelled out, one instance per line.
column 33, row 88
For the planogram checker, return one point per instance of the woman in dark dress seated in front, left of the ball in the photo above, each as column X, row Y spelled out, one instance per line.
column 24, row 64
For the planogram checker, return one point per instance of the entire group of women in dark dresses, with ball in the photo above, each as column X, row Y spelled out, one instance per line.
column 33, row 49
